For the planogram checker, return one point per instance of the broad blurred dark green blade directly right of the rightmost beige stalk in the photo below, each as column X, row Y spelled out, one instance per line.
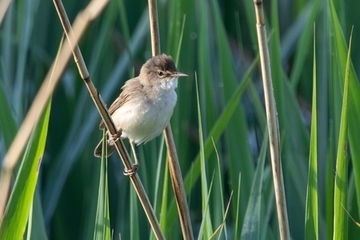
column 294, row 135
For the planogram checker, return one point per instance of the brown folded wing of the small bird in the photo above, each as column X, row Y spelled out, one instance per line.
column 124, row 96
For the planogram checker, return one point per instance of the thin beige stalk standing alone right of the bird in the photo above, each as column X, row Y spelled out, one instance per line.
column 272, row 122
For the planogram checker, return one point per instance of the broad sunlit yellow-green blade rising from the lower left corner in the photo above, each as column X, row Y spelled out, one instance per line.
column 21, row 198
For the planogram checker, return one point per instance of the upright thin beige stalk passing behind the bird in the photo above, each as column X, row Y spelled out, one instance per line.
column 174, row 166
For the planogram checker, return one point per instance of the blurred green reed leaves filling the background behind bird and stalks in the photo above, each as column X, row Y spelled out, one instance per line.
column 215, row 43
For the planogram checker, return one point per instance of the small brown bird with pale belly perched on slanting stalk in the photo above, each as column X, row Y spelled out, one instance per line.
column 145, row 105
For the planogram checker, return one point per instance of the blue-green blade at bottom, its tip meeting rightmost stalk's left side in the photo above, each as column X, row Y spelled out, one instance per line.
column 252, row 222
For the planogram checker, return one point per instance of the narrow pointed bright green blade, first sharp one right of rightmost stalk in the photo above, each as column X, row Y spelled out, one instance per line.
column 312, row 202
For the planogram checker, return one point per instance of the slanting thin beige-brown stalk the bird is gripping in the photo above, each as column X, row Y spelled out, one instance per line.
column 119, row 145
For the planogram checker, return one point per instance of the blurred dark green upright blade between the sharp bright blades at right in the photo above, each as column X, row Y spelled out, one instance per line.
column 323, row 105
